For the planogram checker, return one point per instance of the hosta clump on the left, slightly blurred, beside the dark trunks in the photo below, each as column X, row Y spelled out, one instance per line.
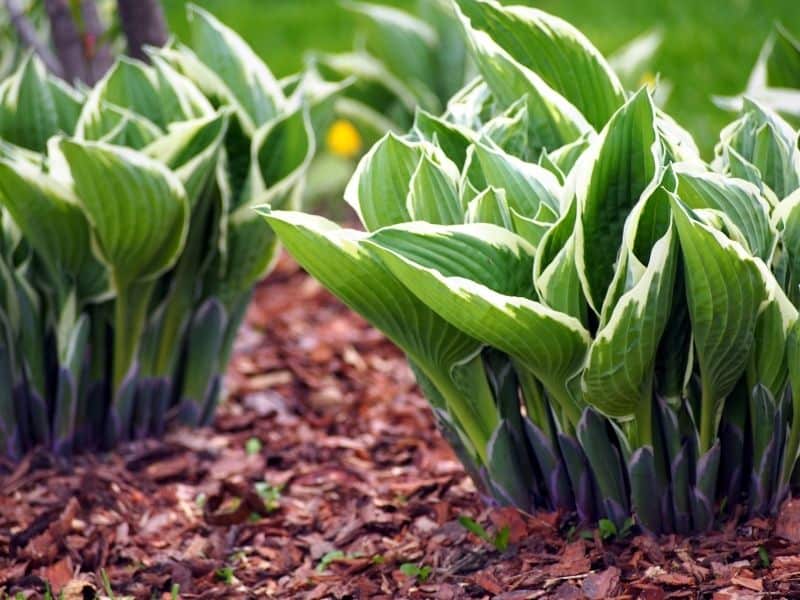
column 129, row 246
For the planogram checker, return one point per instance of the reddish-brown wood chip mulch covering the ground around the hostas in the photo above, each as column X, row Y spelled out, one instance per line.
column 324, row 477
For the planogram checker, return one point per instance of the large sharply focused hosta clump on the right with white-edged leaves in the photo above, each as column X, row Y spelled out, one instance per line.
column 602, row 321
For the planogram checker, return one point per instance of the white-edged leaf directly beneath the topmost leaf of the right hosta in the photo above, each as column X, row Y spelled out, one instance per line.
column 552, row 120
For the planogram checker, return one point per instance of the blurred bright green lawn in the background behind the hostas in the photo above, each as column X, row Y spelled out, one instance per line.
column 709, row 45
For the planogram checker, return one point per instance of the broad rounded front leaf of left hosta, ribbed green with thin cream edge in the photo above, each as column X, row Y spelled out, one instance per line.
column 140, row 228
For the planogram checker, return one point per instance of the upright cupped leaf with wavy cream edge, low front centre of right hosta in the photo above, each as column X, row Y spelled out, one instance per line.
column 619, row 369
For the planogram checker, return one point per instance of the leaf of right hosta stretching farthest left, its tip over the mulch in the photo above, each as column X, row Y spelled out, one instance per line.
column 342, row 261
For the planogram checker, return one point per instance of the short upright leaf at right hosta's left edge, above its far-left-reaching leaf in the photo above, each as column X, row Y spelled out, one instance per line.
column 379, row 188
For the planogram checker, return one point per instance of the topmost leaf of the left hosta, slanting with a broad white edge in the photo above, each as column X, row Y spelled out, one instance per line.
column 227, row 55
